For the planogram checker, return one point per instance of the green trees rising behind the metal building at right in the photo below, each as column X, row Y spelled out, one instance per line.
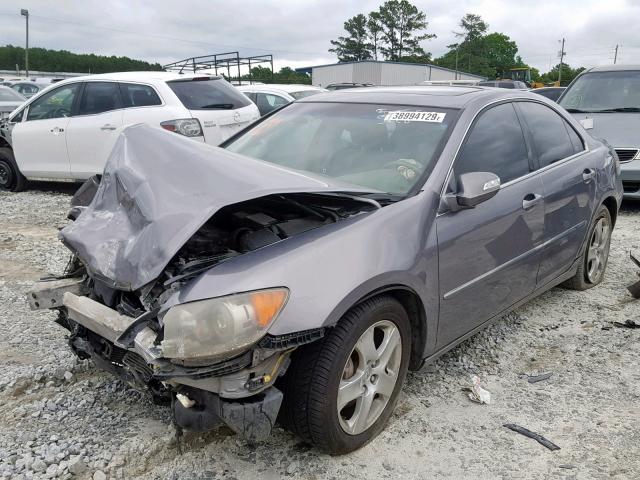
column 395, row 30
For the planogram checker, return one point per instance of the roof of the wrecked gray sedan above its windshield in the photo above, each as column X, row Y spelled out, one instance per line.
column 423, row 95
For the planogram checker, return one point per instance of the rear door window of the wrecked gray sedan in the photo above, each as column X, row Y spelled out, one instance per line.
column 550, row 137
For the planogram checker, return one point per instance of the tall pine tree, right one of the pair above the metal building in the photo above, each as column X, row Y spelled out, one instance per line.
column 402, row 23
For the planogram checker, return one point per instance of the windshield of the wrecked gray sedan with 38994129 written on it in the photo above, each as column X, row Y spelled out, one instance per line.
column 386, row 148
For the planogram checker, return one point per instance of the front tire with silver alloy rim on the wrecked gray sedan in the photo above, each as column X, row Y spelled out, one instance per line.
column 340, row 391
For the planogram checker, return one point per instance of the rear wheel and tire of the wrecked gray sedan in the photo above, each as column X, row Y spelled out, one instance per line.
column 594, row 260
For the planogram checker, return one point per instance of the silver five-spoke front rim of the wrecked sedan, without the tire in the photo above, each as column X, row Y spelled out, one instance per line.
column 369, row 377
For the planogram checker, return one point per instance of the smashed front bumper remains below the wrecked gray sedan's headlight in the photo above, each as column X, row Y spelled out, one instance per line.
column 238, row 392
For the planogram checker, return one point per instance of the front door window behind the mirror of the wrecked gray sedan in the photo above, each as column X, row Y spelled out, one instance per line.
column 496, row 144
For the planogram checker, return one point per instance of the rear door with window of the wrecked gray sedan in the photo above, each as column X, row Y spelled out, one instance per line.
column 568, row 174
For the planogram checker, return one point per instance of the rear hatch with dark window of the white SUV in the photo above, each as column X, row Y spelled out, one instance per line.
column 221, row 109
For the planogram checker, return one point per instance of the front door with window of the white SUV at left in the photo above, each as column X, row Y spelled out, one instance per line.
column 39, row 142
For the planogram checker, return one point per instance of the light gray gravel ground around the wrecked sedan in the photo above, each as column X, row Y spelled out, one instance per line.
column 63, row 418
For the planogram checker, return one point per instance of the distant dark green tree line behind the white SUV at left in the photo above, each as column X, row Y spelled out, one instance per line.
column 43, row 59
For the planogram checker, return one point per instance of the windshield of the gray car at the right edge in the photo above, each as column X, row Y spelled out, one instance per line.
column 597, row 91
